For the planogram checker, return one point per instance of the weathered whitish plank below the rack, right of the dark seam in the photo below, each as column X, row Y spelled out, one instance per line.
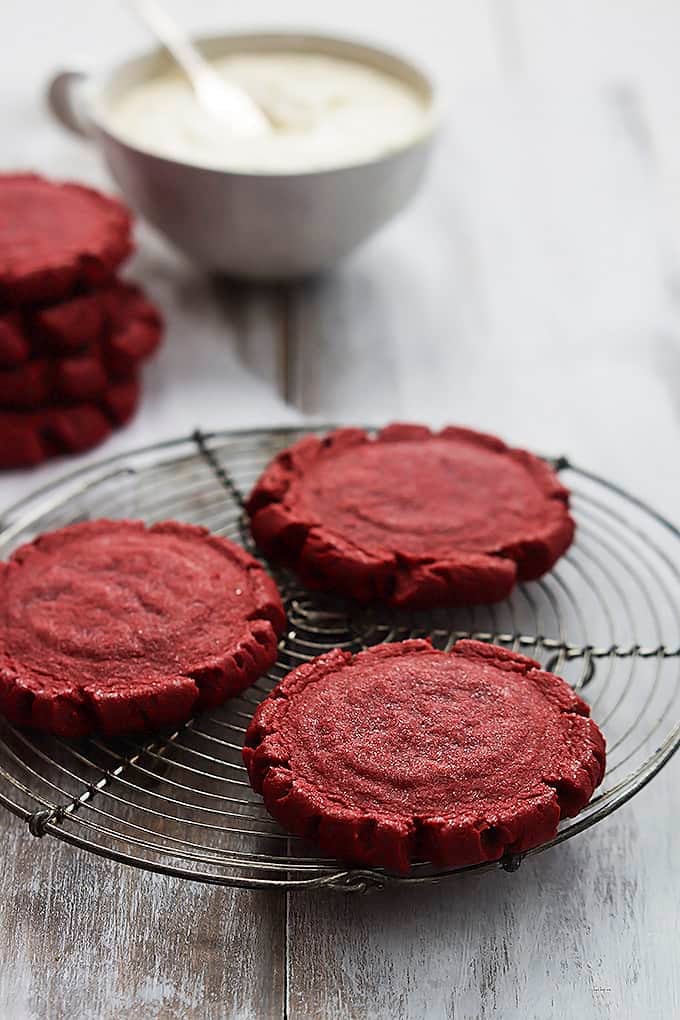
column 566, row 936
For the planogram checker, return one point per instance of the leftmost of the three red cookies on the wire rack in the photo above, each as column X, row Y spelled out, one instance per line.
column 114, row 627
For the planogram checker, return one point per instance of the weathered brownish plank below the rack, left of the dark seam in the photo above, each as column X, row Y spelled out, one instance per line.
column 87, row 938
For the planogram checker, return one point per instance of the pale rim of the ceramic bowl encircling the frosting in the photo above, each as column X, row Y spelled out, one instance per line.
column 99, row 85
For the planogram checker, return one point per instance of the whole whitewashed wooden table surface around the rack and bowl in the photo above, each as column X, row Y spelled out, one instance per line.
column 534, row 289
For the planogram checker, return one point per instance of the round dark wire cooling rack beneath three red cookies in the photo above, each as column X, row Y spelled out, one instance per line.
column 607, row 620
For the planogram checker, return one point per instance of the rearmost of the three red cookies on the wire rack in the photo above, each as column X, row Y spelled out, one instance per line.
column 411, row 518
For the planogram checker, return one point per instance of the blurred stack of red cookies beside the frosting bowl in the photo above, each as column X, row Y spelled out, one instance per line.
column 72, row 335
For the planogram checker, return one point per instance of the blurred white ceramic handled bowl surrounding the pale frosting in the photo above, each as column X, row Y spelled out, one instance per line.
column 257, row 226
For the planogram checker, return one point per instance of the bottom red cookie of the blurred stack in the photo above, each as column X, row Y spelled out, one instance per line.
column 28, row 438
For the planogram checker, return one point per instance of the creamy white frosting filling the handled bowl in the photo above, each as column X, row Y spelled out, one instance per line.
column 329, row 113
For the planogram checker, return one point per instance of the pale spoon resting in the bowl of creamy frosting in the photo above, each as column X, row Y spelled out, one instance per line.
column 225, row 101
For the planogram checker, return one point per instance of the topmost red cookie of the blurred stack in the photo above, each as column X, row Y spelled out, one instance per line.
column 56, row 237
